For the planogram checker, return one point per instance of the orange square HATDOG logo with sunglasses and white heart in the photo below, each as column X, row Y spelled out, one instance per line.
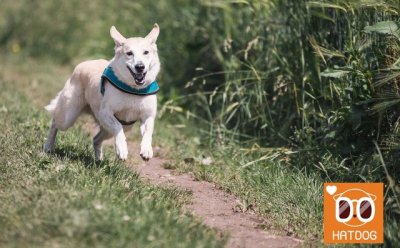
column 353, row 213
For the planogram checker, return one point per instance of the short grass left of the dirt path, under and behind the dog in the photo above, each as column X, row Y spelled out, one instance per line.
column 67, row 200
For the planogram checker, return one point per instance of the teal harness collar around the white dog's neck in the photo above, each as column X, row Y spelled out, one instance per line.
column 110, row 76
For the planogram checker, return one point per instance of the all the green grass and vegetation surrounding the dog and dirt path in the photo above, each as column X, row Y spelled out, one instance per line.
column 282, row 95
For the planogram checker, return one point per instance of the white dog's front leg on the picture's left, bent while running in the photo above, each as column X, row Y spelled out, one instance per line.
column 112, row 125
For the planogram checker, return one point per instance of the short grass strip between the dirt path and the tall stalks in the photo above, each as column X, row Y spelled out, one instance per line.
column 290, row 200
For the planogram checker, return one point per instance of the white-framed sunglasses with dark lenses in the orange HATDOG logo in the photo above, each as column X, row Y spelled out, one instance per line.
column 345, row 208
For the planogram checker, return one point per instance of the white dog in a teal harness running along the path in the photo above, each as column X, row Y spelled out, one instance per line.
column 116, row 93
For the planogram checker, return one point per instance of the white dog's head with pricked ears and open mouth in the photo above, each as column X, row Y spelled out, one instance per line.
column 136, row 59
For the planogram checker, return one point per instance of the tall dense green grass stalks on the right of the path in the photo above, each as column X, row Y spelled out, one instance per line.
column 318, row 77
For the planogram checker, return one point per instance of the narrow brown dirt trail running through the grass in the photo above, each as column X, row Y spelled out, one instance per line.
column 212, row 205
